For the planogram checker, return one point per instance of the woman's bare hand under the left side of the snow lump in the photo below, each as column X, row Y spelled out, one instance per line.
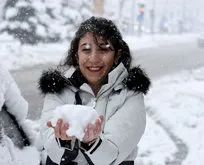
column 60, row 129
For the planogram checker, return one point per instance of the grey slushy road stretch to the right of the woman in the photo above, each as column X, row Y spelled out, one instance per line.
column 165, row 60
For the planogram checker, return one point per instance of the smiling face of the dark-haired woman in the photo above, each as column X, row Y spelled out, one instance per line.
column 96, row 58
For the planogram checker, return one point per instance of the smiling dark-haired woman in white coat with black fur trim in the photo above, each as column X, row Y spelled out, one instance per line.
column 96, row 73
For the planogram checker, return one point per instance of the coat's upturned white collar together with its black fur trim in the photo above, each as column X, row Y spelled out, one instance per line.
column 54, row 81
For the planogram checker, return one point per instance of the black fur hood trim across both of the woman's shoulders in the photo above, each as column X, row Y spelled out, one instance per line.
column 54, row 81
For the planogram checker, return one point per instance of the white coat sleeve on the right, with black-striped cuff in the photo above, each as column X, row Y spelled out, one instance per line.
column 122, row 133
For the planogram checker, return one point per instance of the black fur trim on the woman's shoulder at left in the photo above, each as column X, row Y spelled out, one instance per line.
column 52, row 81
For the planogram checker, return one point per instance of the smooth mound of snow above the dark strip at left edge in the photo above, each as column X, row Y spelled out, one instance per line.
column 14, row 101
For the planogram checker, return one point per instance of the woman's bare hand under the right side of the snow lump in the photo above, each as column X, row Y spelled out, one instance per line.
column 93, row 131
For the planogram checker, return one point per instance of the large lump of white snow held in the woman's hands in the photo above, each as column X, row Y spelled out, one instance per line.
column 77, row 116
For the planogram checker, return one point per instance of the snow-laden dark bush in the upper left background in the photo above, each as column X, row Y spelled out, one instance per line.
column 37, row 21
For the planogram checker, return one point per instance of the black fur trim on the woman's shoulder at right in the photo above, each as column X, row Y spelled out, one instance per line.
column 138, row 80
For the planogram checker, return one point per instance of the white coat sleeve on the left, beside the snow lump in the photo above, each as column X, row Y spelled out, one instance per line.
column 54, row 150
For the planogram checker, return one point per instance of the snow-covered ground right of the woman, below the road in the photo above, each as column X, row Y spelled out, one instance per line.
column 176, row 103
